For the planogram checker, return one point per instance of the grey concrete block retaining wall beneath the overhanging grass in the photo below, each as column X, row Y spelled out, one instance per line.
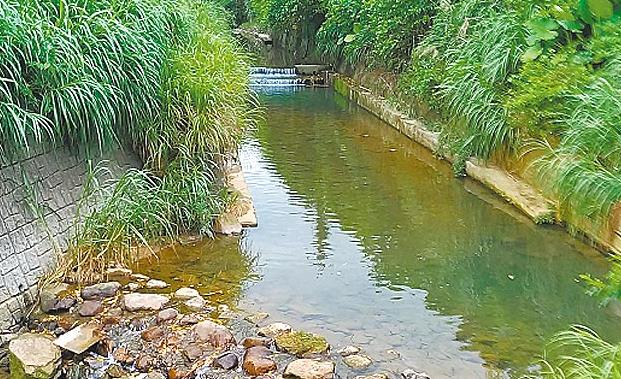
column 38, row 198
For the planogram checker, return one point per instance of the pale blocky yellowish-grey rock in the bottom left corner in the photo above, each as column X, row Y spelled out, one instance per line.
column 33, row 356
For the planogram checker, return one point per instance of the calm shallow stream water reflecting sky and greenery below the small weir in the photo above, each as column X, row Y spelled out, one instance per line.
column 367, row 239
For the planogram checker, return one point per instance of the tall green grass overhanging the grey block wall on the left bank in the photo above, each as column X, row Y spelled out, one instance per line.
column 163, row 77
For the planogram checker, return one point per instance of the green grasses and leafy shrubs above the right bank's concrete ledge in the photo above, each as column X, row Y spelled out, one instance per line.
column 505, row 76
